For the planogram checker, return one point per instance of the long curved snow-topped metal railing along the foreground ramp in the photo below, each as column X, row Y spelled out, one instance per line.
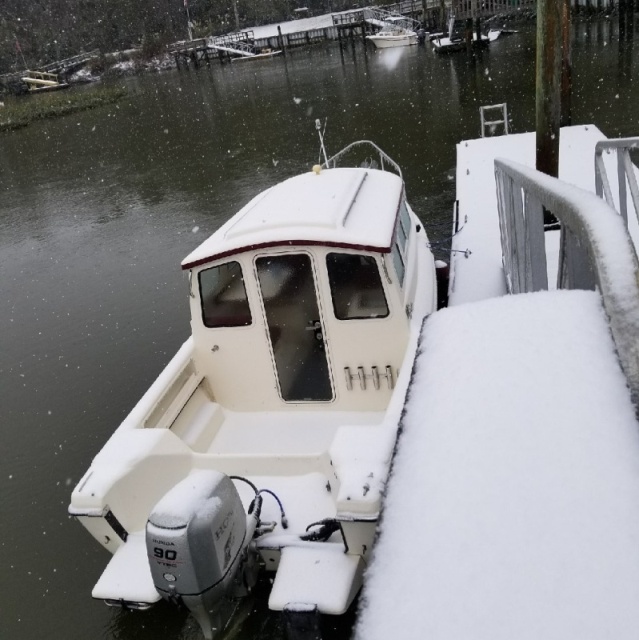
column 596, row 251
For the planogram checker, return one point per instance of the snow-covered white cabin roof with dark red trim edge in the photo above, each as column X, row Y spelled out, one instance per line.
column 338, row 207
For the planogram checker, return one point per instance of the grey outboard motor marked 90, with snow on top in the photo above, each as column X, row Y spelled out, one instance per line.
column 198, row 541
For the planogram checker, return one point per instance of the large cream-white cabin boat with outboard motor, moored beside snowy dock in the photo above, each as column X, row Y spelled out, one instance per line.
column 265, row 443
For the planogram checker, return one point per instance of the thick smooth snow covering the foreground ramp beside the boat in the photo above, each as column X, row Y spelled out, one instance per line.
column 512, row 508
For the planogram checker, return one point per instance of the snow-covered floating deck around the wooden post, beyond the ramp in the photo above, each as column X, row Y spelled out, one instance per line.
column 480, row 275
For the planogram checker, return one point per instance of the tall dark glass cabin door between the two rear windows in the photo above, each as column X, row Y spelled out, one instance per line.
column 295, row 327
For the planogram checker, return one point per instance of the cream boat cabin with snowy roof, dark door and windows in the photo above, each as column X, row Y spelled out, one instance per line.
column 302, row 297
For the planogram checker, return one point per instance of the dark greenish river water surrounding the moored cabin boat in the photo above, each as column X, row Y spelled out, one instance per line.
column 97, row 209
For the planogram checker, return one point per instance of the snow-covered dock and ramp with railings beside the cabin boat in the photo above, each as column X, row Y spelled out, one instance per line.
column 512, row 507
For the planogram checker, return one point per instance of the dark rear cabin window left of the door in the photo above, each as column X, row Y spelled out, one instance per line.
column 223, row 296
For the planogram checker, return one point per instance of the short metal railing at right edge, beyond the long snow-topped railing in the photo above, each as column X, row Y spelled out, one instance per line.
column 625, row 174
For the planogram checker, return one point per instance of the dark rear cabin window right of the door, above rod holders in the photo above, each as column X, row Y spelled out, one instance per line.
column 356, row 287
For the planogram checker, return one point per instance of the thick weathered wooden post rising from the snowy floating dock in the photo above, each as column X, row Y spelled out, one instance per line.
column 548, row 95
